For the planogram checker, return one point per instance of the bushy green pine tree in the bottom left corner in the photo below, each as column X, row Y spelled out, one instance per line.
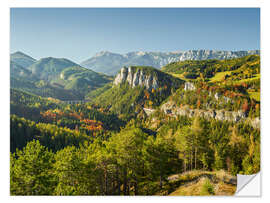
column 31, row 171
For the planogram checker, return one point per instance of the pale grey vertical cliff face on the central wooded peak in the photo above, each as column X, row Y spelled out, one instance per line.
column 136, row 77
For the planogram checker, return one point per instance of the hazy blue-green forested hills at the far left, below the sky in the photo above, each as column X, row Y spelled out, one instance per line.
column 54, row 77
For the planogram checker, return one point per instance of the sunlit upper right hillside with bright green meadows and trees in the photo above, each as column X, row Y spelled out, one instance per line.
column 247, row 67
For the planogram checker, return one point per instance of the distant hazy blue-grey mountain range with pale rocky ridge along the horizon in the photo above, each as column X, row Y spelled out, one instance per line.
column 110, row 63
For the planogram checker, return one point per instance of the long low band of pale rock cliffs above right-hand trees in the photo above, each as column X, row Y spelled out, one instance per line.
column 171, row 109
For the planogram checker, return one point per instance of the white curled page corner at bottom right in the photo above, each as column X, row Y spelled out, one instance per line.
column 248, row 185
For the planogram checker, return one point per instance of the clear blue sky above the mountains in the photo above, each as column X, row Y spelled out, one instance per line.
column 79, row 33
